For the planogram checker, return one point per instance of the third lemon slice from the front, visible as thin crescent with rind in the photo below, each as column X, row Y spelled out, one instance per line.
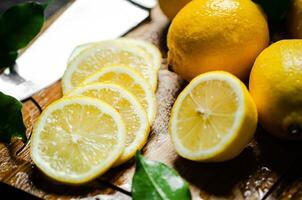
column 132, row 81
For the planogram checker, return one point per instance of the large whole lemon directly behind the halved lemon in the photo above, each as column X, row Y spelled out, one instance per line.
column 208, row 35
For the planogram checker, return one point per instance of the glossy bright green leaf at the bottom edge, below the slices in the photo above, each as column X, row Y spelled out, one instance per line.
column 156, row 181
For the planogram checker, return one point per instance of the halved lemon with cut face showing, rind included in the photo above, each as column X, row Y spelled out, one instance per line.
column 213, row 119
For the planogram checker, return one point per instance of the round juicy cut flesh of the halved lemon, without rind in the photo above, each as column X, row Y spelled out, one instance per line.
column 207, row 115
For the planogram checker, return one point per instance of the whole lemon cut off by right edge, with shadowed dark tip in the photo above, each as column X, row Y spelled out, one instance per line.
column 276, row 87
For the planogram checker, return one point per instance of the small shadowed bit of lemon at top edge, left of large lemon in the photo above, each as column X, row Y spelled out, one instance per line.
column 171, row 7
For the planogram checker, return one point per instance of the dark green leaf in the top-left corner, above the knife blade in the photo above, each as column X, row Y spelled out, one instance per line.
column 18, row 26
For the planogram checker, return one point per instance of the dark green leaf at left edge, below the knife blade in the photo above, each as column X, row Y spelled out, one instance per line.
column 11, row 121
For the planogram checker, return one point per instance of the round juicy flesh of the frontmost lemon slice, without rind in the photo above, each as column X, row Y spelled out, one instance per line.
column 76, row 138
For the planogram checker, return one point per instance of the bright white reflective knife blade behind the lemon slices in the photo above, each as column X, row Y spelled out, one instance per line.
column 44, row 62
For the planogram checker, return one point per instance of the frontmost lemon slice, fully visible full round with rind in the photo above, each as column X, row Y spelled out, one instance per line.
column 77, row 139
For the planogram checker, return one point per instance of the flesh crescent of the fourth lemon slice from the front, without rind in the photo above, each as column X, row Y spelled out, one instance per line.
column 101, row 57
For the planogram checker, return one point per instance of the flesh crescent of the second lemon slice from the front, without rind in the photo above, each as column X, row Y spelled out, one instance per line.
column 124, row 107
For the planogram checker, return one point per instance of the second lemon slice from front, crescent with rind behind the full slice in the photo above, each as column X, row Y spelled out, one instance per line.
column 134, row 116
